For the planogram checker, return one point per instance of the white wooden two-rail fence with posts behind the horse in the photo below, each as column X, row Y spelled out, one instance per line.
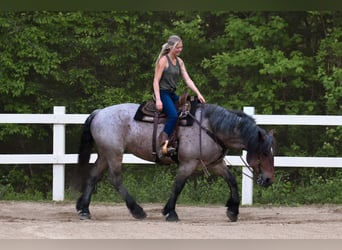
column 58, row 158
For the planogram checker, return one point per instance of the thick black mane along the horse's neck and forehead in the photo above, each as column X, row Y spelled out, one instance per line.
column 229, row 122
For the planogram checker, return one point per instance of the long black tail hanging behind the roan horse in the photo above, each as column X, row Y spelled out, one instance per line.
column 84, row 151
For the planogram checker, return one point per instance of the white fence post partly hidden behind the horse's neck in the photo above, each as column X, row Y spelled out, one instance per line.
column 247, row 182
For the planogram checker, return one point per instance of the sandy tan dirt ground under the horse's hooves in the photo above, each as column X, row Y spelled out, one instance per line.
column 34, row 220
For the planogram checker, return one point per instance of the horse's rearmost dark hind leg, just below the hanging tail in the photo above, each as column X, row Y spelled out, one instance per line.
column 83, row 202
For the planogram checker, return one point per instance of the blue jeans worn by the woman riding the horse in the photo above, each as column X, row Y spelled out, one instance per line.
column 169, row 99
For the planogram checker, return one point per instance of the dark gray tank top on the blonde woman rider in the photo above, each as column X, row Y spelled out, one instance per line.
column 170, row 77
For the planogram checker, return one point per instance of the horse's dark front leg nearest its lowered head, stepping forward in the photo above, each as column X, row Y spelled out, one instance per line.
column 234, row 200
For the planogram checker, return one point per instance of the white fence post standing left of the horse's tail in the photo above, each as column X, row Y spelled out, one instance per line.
column 58, row 174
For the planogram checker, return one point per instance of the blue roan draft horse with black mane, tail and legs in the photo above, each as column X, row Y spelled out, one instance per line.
column 216, row 129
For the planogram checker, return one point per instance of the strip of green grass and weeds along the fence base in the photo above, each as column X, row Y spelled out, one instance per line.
column 154, row 184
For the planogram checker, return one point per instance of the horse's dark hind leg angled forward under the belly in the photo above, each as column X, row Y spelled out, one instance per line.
column 116, row 179
